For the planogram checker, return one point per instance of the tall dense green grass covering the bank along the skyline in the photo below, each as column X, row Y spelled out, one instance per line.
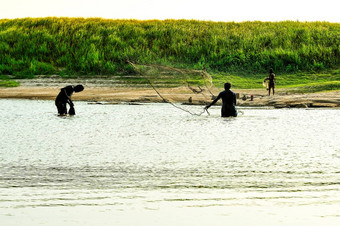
column 96, row 46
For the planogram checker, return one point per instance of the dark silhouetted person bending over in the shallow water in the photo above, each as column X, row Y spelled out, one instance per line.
column 64, row 97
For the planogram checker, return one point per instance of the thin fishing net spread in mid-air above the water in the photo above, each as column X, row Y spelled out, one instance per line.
column 185, row 89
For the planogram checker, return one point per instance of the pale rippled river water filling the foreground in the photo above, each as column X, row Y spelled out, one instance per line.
column 153, row 164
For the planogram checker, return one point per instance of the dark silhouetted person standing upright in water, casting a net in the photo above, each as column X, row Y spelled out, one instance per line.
column 228, row 102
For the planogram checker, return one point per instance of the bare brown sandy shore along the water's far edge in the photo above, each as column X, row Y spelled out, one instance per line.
column 109, row 92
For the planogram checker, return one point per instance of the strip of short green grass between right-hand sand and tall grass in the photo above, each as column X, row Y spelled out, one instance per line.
column 299, row 82
